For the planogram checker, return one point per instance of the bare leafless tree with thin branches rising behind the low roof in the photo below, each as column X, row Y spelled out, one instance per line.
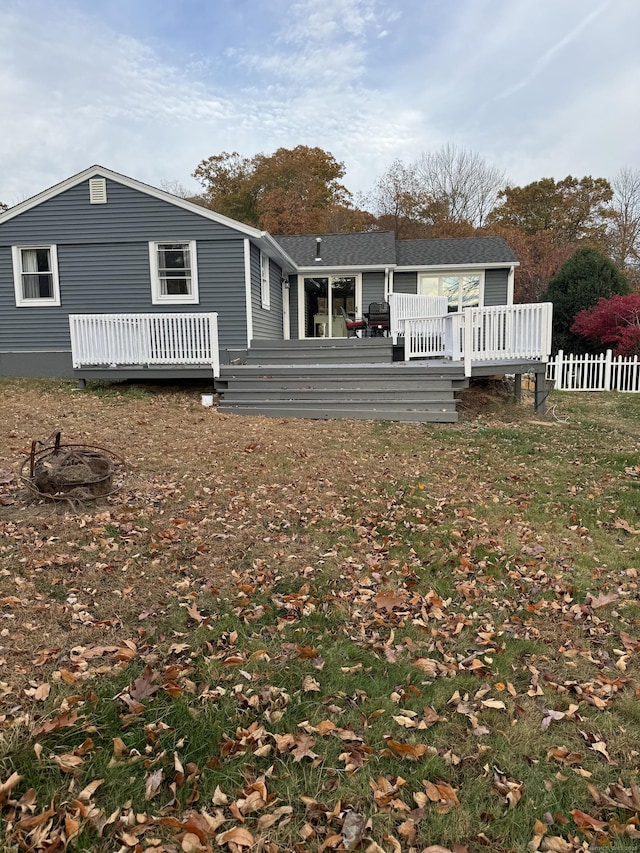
column 459, row 185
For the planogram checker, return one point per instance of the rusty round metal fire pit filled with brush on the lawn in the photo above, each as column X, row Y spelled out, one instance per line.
column 75, row 472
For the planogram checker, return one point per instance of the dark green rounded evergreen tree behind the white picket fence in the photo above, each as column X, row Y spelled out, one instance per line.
column 588, row 275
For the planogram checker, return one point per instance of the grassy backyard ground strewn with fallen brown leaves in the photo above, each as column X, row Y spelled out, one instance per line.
column 288, row 635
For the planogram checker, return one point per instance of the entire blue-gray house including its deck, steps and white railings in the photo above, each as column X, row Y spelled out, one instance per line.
column 102, row 276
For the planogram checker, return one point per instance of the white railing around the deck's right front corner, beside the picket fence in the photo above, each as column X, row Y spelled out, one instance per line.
column 499, row 333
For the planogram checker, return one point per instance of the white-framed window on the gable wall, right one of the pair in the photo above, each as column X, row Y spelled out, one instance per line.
column 174, row 272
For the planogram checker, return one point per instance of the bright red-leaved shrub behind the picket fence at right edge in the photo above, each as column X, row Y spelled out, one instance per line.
column 612, row 322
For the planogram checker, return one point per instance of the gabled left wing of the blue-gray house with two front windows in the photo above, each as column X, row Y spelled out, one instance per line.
column 100, row 243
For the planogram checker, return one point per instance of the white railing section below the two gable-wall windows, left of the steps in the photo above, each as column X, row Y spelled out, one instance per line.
column 99, row 340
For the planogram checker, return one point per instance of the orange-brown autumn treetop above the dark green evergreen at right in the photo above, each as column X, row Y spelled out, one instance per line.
column 570, row 210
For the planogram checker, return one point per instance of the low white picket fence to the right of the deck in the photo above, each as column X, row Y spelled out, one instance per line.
column 602, row 372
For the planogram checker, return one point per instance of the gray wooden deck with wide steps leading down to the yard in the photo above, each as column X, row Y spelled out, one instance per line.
column 350, row 378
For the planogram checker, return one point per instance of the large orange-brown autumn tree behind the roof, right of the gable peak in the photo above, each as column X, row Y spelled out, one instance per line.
column 291, row 191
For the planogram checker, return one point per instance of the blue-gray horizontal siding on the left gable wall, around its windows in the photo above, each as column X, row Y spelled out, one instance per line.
column 103, row 265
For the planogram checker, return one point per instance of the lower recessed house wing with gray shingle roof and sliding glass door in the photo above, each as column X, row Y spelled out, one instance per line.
column 350, row 271
